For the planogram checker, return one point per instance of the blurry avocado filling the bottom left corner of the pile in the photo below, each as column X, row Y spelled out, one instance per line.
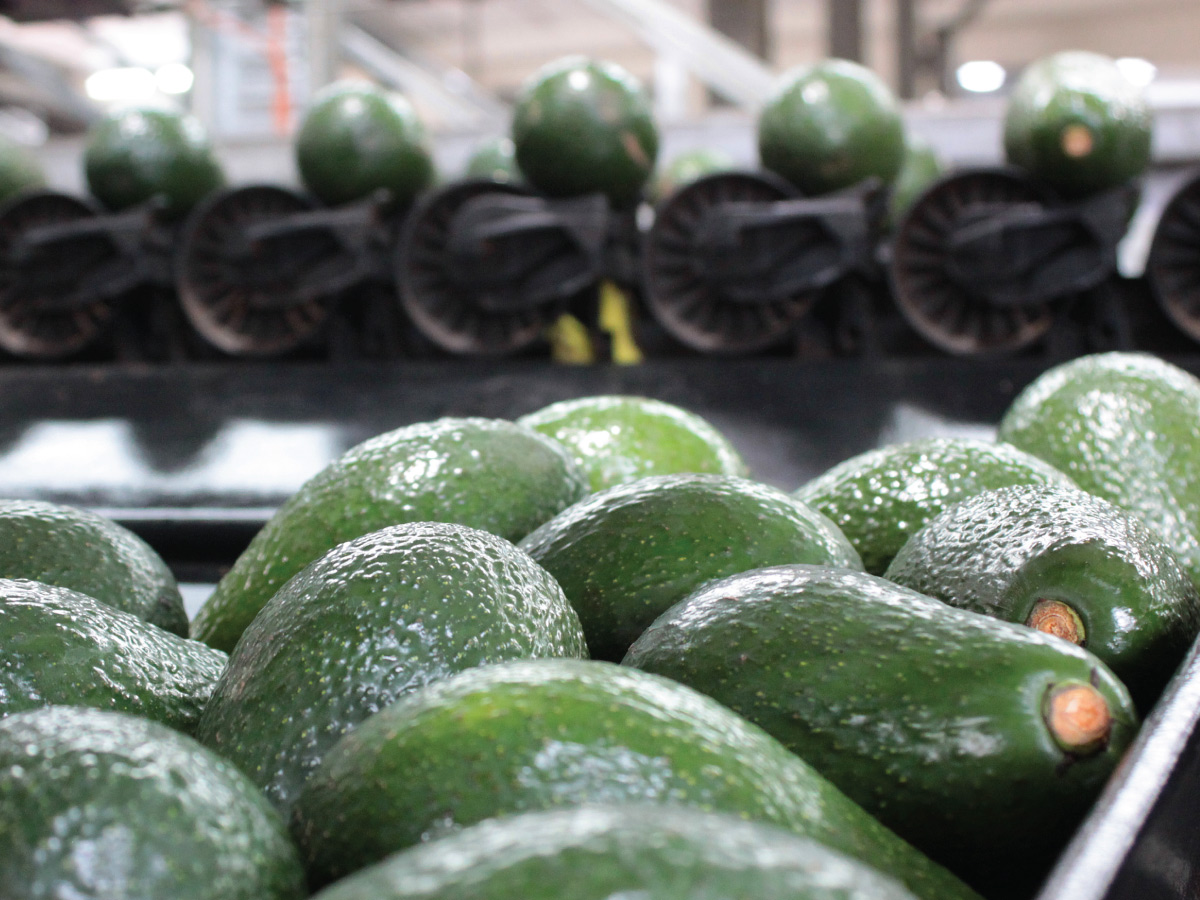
column 107, row 806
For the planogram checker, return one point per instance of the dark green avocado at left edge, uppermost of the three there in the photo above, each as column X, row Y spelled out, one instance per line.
column 79, row 550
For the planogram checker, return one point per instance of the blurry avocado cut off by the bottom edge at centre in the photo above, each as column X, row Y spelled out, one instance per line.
column 601, row 853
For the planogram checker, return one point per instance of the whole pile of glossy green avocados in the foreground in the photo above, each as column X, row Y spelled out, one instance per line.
column 586, row 655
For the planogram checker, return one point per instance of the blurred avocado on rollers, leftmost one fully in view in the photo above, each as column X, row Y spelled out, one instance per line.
column 140, row 153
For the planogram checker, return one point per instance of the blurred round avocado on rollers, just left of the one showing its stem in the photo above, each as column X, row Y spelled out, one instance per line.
column 830, row 127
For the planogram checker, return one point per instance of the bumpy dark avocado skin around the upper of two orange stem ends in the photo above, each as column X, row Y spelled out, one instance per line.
column 1001, row 551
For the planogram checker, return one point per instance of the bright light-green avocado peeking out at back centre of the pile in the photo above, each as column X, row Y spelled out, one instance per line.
column 617, row 440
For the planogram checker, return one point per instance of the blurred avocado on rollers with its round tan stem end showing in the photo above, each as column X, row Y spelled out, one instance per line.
column 1078, row 124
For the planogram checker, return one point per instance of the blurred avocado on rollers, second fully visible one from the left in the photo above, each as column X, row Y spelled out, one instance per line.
column 358, row 139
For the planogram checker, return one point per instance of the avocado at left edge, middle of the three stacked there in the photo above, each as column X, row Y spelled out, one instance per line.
column 62, row 647
